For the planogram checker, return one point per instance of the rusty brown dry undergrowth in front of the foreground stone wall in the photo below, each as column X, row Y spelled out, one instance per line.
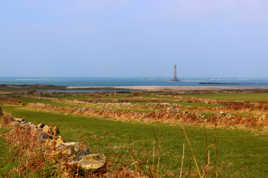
column 36, row 156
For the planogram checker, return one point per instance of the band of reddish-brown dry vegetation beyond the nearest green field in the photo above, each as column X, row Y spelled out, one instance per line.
column 226, row 115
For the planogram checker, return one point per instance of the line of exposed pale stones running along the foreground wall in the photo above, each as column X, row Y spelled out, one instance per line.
column 76, row 152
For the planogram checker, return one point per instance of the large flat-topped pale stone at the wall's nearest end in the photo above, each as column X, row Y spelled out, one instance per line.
column 92, row 162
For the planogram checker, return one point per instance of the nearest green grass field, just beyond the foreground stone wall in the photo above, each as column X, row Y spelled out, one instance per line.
column 240, row 153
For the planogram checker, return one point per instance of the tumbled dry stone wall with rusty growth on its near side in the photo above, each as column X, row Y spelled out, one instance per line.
column 75, row 154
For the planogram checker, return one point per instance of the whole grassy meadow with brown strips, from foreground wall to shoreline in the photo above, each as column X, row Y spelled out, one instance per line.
column 154, row 148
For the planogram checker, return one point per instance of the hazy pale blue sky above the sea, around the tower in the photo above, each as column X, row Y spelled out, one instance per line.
column 140, row 38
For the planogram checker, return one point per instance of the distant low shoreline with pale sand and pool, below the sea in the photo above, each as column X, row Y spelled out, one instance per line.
column 90, row 89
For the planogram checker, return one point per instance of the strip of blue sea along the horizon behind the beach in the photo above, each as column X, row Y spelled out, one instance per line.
column 134, row 81
